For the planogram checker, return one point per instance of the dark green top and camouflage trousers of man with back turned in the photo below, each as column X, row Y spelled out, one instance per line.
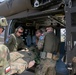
column 49, row 44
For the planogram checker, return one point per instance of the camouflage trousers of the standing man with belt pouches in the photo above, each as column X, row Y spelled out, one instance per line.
column 46, row 67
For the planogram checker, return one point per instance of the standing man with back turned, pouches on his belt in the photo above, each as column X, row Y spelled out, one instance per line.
column 49, row 46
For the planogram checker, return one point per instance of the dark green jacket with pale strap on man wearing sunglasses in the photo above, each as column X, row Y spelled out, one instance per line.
column 14, row 43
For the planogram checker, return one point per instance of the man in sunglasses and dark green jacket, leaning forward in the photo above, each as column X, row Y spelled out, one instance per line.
column 15, row 41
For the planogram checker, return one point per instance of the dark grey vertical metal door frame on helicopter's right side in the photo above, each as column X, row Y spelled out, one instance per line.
column 70, row 31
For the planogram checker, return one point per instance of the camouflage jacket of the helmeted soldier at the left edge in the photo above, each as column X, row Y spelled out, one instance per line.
column 4, row 59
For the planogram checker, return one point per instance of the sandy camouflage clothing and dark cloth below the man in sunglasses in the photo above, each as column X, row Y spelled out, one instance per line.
column 20, row 61
